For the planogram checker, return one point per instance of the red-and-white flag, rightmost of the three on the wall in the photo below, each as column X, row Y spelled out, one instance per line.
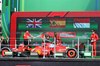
column 81, row 23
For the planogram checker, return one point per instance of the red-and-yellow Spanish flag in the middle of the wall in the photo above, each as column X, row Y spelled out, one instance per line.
column 57, row 23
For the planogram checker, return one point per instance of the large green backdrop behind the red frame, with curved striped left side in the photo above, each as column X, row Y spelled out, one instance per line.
column 10, row 6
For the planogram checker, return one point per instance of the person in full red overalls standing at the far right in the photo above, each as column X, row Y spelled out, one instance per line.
column 94, row 37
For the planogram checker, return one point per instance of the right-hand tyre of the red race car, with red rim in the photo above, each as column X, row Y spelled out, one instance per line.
column 70, row 53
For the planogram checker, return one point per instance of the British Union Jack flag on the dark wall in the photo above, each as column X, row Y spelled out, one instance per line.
column 34, row 23
